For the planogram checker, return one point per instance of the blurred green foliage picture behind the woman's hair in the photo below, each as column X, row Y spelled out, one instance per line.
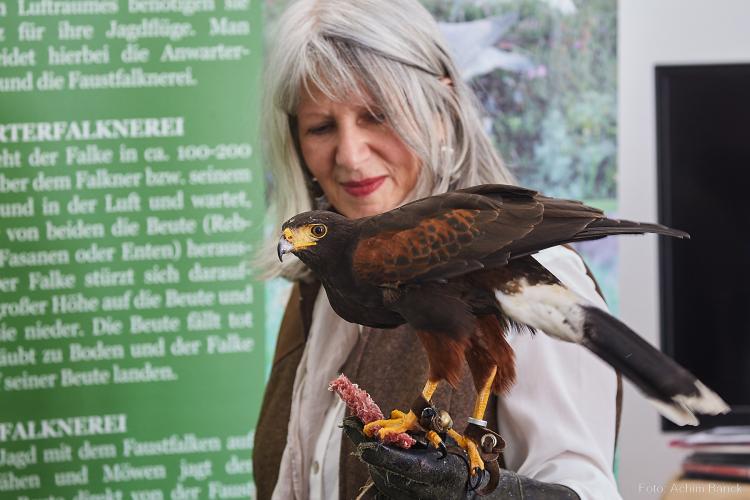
column 556, row 125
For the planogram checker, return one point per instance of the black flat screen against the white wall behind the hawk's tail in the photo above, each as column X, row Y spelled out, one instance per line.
column 703, row 157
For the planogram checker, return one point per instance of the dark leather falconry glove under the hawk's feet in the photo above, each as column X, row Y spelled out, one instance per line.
column 424, row 474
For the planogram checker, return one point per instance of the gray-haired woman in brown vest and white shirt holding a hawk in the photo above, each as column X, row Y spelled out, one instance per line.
column 366, row 111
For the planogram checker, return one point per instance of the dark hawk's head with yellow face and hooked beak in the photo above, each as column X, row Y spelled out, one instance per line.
column 315, row 237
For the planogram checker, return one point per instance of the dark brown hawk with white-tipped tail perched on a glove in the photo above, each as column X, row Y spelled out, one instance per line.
column 458, row 268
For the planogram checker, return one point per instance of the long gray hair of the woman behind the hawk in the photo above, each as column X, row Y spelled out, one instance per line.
column 393, row 52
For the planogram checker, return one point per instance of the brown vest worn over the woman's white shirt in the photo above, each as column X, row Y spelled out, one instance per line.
column 390, row 364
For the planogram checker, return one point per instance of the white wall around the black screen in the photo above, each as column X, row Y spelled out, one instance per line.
column 655, row 32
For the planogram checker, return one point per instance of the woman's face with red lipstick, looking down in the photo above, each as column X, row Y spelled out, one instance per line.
column 362, row 165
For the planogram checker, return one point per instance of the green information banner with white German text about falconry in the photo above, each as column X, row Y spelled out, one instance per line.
column 131, row 339
